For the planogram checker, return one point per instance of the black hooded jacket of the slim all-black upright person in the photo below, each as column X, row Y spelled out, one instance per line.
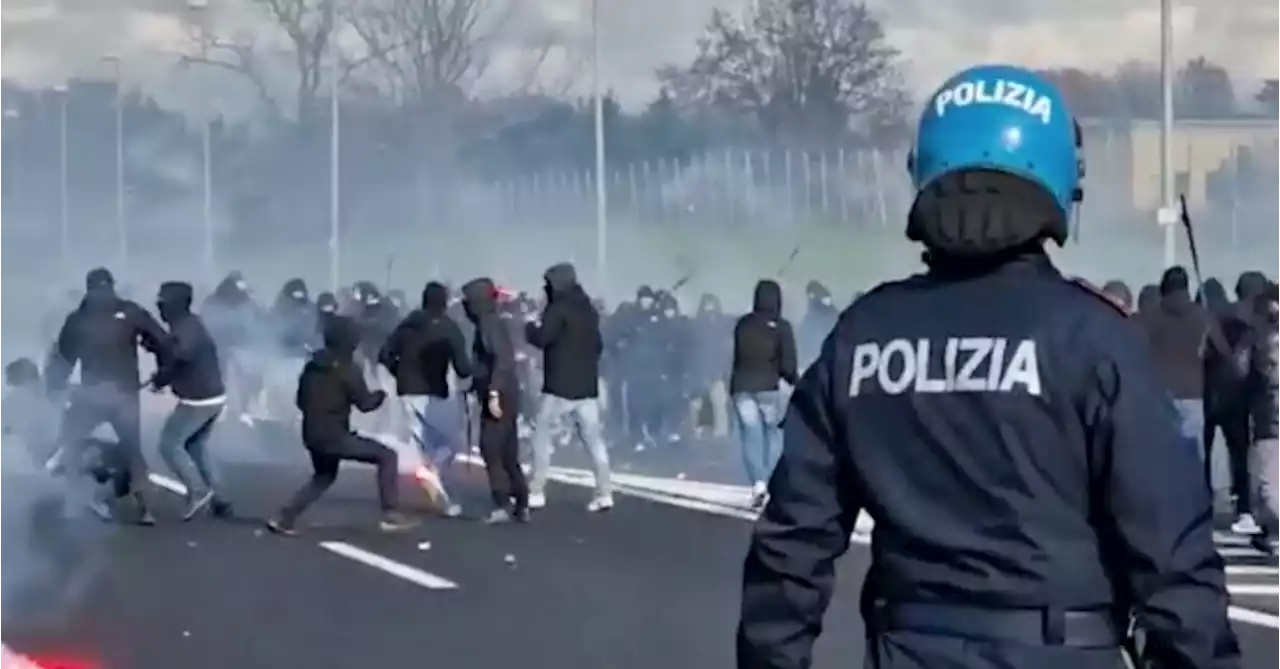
column 492, row 351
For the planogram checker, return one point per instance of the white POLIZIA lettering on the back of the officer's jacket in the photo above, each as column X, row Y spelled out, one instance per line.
column 954, row 365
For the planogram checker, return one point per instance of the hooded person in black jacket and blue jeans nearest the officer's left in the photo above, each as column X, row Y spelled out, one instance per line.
column 765, row 358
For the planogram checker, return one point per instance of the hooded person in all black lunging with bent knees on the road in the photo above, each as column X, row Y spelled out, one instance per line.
column 332, row 386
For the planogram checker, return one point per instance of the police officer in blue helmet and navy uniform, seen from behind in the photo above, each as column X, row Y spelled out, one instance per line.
column 1003, row 425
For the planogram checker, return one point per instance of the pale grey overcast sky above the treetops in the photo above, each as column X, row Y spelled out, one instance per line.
column 45, row 42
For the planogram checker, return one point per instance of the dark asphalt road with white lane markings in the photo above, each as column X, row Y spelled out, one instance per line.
column 648, row 585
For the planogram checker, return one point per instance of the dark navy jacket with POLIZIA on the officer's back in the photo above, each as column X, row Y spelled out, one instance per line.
column 1013, row 442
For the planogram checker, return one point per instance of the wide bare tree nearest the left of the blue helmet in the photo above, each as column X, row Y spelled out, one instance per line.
column 806, row 71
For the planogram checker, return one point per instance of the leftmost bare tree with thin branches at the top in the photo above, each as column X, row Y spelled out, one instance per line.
column 309, row 26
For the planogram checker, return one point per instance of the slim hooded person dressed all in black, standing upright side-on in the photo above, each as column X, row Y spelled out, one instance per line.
column 497, row 390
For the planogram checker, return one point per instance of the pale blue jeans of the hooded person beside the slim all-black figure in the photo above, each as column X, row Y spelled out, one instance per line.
column 582, row 416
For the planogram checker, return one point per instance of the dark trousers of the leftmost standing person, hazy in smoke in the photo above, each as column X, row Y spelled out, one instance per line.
column 93, row 407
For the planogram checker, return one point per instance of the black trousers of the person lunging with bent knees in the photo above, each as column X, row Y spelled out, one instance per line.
column 326, row 461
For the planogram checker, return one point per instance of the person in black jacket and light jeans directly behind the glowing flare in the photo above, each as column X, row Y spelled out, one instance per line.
column 419, row 354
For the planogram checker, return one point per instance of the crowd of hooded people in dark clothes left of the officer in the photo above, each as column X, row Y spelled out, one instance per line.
column 541, row 372
